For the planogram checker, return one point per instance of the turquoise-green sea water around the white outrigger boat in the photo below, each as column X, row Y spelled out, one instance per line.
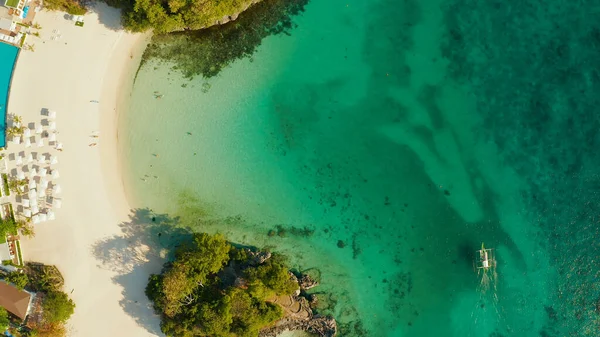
column 381, row 143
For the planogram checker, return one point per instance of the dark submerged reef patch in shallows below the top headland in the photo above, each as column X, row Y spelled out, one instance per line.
column 205, row 52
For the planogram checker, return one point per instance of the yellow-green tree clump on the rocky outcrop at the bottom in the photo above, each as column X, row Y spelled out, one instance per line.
column 214, row 289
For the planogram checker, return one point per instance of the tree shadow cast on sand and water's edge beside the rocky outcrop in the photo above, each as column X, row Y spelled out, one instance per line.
column 144, row 244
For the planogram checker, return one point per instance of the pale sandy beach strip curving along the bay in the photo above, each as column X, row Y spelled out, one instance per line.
column 91, row 63
